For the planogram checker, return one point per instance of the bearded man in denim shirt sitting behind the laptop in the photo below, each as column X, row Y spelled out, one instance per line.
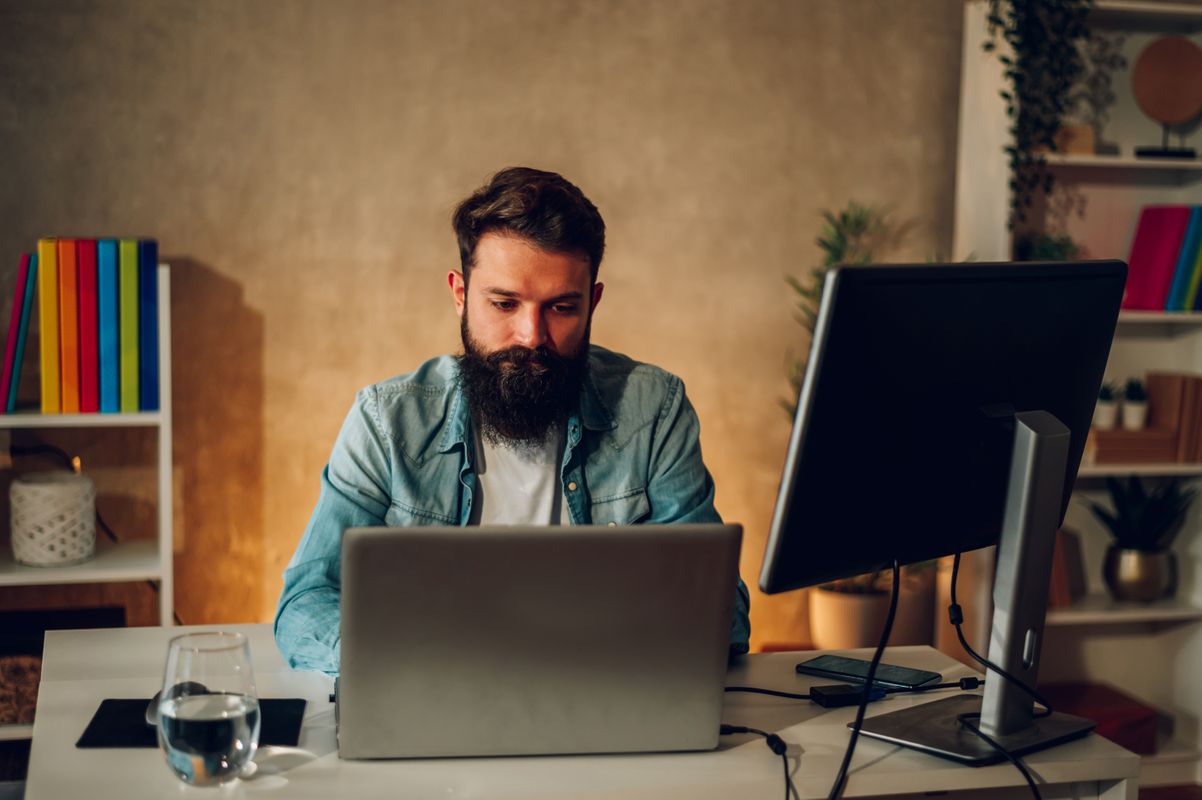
column 532, row 426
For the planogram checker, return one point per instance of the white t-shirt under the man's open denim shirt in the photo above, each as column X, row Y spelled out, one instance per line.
column 520, row 486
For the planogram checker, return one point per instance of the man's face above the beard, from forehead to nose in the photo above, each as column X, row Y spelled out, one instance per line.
column 526, row 297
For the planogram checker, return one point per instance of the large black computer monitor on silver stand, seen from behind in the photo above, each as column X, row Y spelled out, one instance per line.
column 943, row 404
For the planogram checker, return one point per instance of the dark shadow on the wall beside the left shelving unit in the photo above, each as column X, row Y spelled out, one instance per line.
column 218, row 390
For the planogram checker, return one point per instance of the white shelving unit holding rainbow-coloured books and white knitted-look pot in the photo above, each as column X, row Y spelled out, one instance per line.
column 145, row 559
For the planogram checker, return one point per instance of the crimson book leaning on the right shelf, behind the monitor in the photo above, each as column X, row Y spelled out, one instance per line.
column 1155, row 252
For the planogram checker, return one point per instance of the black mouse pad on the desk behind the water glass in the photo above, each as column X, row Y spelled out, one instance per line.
column 123, row 724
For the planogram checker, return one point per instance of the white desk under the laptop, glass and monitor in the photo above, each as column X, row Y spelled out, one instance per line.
column 81, row 668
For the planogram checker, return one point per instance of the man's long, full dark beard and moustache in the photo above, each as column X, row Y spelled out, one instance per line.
column 520, row 396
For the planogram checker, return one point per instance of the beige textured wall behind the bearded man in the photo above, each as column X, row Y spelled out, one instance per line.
column 299, row 162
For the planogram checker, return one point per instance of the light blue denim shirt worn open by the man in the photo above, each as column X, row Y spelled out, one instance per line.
column 404, row 457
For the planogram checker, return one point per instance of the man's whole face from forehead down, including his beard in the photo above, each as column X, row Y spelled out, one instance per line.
column 525, row 321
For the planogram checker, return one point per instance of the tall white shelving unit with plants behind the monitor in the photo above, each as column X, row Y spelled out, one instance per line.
column 1150, row 652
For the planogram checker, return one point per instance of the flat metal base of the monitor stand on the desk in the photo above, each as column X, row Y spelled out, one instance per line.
column 933, row 729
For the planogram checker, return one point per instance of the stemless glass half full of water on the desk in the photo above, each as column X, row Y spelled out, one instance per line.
column 209, row 709
